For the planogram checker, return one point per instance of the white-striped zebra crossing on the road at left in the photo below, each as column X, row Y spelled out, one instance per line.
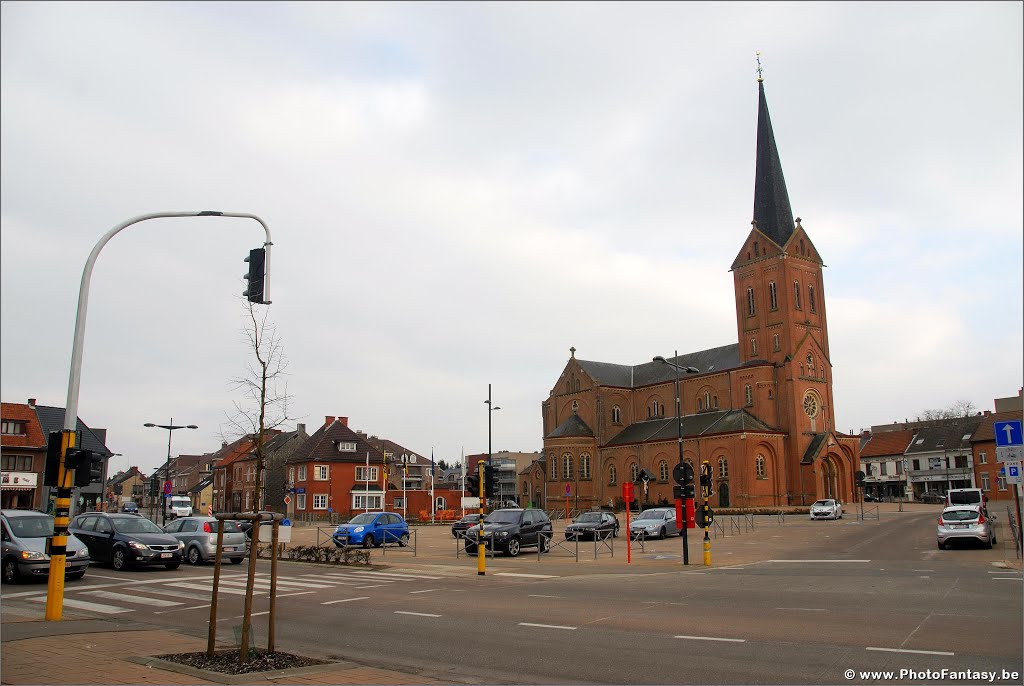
column 175, row 594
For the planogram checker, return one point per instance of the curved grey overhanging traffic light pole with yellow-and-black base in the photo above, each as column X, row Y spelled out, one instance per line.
column 55, row 591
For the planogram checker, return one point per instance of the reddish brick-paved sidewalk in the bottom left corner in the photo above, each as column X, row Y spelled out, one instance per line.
column 79, row 651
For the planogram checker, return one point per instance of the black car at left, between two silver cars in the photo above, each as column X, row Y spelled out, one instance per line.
column 122, row 540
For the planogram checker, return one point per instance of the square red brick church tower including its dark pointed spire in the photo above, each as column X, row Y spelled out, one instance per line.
column 781, row 306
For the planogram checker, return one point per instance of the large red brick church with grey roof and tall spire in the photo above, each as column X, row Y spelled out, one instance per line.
column 760, row 411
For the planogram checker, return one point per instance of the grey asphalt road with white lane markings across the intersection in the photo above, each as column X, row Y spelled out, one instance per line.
column 797, row 604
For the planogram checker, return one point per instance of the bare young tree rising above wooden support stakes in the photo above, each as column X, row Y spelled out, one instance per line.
column 264, row 390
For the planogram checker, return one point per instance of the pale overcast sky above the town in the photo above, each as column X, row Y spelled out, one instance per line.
column 459, row 193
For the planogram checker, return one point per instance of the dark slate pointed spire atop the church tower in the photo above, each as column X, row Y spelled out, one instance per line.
column 773, row 213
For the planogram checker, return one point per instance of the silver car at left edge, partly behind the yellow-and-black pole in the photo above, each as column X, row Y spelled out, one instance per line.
column 24, row 547
